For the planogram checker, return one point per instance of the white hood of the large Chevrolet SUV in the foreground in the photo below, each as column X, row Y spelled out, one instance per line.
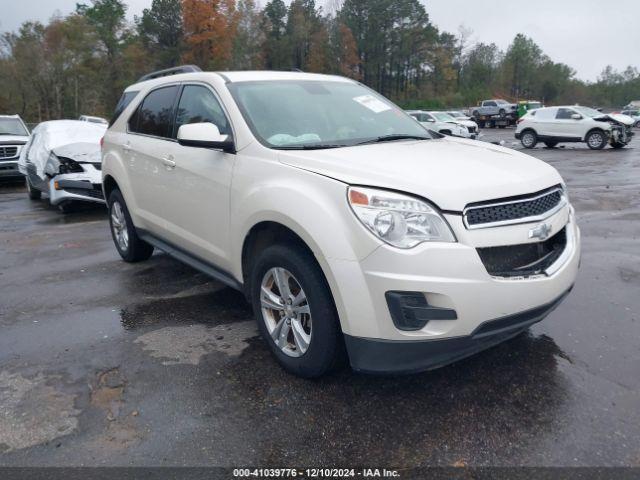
column 449, row 172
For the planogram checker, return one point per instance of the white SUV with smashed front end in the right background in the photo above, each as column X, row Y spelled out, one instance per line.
column 553, row 125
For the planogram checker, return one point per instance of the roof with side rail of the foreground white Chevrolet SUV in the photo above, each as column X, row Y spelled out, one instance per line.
column 242, row 76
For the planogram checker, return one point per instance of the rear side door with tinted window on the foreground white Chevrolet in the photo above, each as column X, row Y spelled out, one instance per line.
column 149, row 139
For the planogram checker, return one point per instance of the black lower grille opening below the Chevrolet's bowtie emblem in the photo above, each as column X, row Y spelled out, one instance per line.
column 525, row 259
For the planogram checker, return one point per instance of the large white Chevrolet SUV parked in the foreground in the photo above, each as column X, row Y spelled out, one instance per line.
column 354, row 232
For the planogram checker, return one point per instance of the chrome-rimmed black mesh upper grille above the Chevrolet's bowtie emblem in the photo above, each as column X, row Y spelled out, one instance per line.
column 515, row 210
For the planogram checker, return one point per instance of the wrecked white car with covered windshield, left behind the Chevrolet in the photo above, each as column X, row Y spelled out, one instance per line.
column 63, row 161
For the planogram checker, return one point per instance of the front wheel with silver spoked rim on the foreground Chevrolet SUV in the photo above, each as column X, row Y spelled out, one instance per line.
column 295, row 311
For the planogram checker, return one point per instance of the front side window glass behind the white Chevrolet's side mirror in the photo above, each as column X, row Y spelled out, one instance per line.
column 198, row 105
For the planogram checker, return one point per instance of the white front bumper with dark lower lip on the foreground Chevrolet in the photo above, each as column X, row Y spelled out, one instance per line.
column 451, row 276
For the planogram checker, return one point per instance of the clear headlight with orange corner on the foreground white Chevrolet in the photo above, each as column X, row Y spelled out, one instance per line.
column 399, row 220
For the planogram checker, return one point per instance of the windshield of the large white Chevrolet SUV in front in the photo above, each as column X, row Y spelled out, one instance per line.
column 303, row 113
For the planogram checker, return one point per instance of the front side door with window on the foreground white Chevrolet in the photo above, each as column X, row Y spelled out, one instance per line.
column 197, row 182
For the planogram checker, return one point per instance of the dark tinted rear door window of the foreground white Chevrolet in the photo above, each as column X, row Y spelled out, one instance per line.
column 154, row 116
